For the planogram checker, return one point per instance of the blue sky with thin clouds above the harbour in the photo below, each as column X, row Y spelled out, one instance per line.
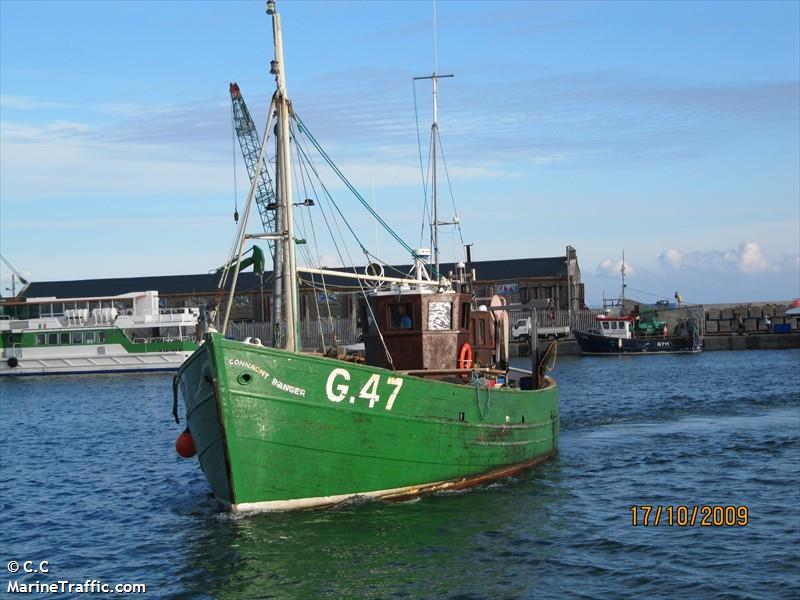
column 667, row 130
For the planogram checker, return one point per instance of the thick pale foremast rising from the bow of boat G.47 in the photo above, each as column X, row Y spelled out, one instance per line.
column 284, row 168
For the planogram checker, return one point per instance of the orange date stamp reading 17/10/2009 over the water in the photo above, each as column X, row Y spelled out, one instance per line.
column 703, row 515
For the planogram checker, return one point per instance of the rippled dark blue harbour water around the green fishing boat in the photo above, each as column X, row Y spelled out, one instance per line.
column 91, row 483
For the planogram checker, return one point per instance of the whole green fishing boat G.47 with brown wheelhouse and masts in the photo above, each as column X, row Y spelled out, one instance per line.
column 434, row 407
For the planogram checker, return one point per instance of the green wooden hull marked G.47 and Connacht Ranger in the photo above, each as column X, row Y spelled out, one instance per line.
column 279, row 430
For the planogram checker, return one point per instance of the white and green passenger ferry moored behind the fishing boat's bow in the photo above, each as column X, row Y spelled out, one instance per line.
column 113, row 334
